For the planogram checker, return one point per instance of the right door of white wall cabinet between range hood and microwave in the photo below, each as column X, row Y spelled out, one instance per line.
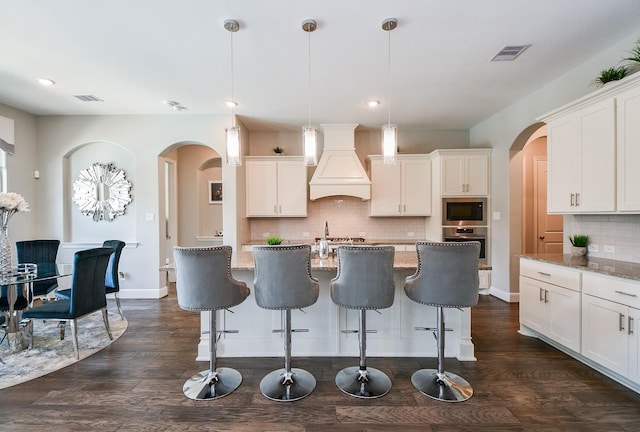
column 416, row 187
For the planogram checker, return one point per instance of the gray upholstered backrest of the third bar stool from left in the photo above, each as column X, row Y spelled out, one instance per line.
column 365, row 277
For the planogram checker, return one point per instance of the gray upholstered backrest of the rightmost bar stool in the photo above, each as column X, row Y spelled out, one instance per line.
column 447, row 274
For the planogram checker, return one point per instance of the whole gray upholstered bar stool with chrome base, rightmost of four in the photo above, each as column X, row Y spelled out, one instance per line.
column 447, row 277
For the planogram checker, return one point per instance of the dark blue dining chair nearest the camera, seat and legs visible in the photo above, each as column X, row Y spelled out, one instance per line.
column 87, row 294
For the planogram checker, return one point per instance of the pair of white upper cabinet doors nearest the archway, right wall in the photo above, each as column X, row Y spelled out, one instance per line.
column 581, row 150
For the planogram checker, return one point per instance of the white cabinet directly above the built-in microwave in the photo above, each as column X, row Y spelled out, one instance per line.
column 464, row 172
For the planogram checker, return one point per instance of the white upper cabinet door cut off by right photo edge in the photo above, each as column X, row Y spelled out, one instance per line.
column 628, row 150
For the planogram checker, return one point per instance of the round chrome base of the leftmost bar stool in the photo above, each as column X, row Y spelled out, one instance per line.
column 208, row 385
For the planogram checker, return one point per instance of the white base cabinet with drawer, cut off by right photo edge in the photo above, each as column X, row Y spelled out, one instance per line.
column 610, row 313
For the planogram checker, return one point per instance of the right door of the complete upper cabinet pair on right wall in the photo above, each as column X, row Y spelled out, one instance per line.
column 597, row 138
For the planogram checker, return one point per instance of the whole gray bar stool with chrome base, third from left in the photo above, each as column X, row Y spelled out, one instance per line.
column 364, row 281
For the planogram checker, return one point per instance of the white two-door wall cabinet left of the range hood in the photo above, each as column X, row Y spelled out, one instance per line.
column 276, row 186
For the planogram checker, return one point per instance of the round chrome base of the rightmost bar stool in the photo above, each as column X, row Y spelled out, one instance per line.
column 446, row 387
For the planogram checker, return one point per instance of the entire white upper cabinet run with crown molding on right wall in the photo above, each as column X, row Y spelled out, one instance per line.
column 593, row 148
